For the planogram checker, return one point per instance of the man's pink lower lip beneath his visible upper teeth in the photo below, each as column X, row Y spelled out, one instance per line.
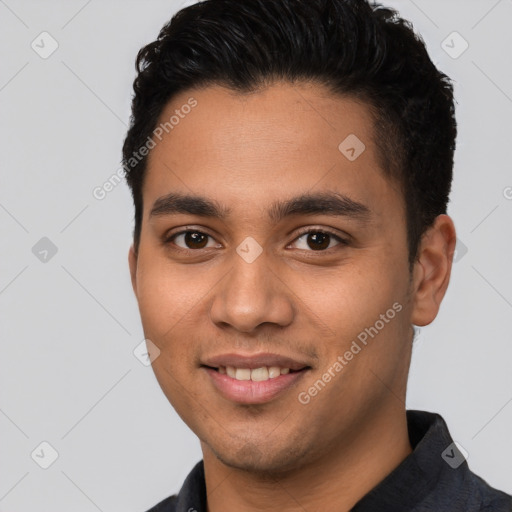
column 252, row 392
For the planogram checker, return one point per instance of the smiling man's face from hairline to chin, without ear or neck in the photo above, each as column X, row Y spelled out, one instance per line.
column 256, row 283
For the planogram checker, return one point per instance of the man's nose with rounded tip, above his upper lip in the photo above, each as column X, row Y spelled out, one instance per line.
column 250, row 295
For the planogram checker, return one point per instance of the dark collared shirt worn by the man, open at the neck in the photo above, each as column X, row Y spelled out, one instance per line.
column 435, row 477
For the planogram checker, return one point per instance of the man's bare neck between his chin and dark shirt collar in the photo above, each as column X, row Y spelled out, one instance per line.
column 337, row 480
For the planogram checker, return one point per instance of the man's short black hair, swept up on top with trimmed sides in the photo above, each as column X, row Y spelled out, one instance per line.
column 355, row 48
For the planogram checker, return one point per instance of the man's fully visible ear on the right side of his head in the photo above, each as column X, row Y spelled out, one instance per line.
column 432, row 270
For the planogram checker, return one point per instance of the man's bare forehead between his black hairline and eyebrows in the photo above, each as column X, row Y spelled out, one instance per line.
column 252, row 148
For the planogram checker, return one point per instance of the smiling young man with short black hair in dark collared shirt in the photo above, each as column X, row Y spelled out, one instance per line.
column 290, row 163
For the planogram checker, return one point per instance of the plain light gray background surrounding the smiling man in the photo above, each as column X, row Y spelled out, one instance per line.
column 70, row 323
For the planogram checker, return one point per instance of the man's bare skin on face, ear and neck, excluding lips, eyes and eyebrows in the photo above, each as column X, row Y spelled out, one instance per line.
column 246, row 151
